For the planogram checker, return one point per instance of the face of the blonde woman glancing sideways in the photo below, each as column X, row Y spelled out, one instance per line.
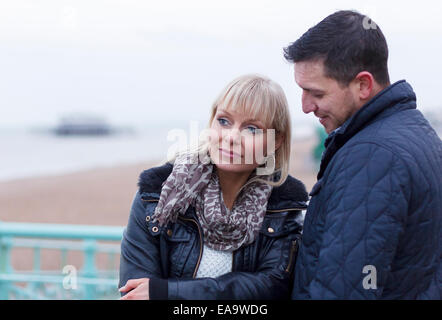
column 238, row 143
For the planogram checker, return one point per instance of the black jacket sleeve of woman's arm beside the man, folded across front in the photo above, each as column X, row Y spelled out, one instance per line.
column 272, row 278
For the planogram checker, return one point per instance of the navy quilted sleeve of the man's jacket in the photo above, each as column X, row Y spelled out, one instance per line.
column 365, row 216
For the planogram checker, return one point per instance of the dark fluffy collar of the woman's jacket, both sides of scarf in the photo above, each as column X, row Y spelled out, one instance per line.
column 290, row 195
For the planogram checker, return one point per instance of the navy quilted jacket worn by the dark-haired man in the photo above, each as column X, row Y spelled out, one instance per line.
column 373, row 226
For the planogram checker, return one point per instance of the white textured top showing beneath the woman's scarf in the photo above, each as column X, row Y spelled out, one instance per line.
column 214, row 263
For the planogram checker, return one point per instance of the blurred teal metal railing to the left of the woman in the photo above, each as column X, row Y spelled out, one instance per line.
column 88, row 282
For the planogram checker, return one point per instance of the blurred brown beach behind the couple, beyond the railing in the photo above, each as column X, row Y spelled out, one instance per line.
column 100, row 196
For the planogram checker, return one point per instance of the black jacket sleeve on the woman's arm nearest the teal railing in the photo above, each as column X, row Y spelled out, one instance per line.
column 140, row 256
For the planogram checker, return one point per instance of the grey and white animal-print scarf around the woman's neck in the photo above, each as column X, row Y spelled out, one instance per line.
column 197, row 184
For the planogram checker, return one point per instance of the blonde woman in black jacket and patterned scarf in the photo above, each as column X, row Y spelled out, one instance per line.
column 226, row 228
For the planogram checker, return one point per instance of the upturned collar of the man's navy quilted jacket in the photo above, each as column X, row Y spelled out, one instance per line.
column 396, row 97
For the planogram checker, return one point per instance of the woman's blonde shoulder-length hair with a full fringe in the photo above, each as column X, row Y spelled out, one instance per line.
column 261, row 98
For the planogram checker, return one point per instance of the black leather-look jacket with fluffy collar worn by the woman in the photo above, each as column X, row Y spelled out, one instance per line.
column 170, row 255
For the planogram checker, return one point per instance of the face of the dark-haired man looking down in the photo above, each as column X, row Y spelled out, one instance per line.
column 325, row 97
